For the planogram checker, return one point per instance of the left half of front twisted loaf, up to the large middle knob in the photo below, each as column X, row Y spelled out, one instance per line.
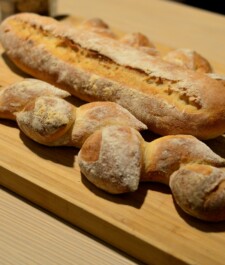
column 48, row 119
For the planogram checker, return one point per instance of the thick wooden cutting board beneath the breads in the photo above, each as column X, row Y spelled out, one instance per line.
column 145, row 224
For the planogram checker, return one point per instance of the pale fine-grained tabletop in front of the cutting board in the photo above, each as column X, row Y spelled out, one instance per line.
column 30, row 235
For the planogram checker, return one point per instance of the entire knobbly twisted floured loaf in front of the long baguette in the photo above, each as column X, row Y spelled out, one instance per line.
column 113, row 154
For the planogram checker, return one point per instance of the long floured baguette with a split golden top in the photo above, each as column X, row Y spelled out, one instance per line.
column 167, row 98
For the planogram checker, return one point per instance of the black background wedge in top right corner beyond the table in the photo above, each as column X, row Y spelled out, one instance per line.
column 215, row 6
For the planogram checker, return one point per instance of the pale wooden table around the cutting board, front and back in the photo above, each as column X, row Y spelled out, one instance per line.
column 30, row 235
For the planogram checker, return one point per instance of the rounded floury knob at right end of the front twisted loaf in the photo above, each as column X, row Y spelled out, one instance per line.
column 200, row 191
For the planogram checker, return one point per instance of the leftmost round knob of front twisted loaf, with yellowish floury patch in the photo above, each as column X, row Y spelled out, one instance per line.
column 47, row 120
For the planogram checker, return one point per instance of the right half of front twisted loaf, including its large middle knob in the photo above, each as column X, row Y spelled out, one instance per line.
column 117, row 158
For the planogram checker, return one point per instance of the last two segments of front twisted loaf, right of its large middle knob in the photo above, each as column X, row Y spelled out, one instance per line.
column 195, row 174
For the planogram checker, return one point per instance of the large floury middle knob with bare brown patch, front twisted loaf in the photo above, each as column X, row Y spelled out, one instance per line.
column 117, row 163
